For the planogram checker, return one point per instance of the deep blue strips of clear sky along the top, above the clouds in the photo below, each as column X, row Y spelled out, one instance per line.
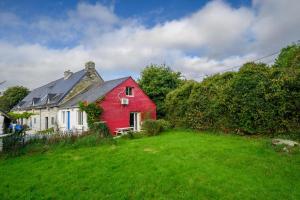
column 152, row 11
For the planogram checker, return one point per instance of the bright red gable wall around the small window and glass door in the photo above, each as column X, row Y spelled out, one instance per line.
column 117, row 115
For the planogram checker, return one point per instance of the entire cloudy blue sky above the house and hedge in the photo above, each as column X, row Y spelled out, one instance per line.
column 39, row 40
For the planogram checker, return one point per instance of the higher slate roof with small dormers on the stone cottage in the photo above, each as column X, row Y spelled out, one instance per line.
column 50, row 94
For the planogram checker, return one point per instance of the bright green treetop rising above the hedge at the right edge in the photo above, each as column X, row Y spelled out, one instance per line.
column 289, row 57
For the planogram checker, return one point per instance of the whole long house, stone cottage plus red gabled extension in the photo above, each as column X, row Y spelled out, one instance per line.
column 55, row 105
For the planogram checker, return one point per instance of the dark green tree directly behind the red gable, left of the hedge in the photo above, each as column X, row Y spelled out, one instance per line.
column 157, row 81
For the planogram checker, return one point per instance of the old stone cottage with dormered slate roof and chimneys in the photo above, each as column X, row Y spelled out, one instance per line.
column 44, row 102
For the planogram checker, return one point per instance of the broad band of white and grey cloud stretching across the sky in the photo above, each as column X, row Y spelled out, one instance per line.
column 210, row 40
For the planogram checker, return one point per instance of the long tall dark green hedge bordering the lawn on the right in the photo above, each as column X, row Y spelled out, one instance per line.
column 256, row 99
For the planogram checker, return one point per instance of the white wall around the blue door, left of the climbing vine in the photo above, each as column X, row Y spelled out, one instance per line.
column 74, row 126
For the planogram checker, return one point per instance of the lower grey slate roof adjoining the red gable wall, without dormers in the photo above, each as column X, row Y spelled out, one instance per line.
column 95, row 92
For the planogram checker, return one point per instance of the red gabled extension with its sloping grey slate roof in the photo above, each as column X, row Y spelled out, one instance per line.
column 124, row 103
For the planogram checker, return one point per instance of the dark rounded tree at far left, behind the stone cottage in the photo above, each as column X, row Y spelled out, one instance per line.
column 12, row 96
